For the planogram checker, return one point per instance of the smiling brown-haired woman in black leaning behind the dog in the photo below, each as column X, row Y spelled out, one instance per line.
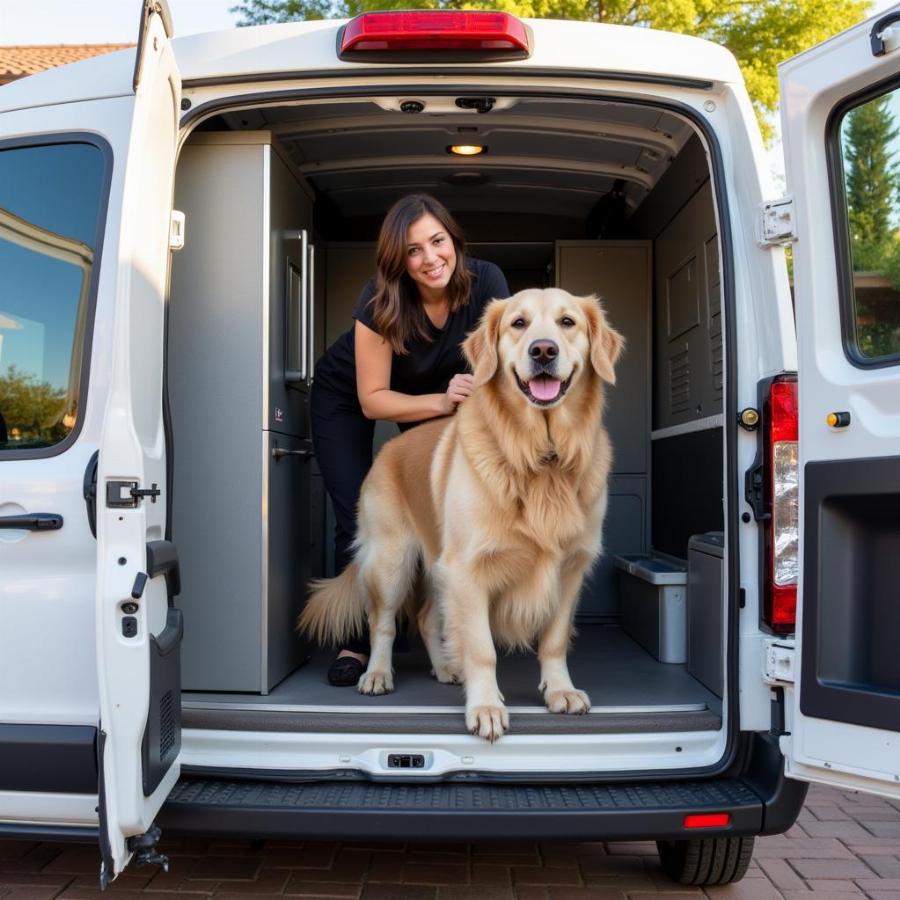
column 401, row 361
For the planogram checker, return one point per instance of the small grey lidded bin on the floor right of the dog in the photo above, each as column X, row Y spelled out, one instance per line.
column 654, row 608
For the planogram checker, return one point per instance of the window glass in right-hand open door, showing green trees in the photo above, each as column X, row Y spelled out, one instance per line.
column 870, row 147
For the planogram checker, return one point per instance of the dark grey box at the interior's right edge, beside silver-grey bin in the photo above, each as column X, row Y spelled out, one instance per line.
column 705, row 634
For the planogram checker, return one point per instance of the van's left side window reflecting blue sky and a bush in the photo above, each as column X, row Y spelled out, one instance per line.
column 50, row 203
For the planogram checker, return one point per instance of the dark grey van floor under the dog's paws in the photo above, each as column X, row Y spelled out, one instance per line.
column 629, row 691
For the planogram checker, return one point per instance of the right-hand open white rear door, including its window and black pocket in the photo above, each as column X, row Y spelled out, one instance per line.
column 841, row 117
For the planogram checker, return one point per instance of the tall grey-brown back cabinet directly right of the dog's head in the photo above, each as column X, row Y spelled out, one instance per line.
column 620, row 273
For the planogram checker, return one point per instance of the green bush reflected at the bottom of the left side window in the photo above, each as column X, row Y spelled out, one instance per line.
column 32, row 411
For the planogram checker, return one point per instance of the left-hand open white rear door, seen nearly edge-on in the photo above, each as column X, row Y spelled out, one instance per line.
column 138, row 626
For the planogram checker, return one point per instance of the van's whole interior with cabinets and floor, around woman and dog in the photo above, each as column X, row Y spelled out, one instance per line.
column 591, row 190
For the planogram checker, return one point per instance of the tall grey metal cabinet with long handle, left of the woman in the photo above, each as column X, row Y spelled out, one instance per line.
column 239, row 363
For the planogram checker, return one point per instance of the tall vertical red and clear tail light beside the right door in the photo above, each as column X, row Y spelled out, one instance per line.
column 781, row 473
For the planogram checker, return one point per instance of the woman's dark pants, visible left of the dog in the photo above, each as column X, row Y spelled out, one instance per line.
column 342, row 439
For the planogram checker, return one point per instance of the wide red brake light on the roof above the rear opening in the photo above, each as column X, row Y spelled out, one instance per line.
column 435, row 30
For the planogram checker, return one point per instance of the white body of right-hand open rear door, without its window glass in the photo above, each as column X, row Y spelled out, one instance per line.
column 844, row 713
